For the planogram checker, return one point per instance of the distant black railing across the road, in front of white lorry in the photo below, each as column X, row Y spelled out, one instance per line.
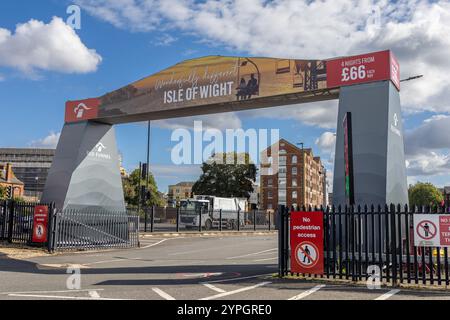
column 166, row 219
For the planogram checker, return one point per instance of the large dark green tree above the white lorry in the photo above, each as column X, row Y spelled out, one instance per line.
column 226, row 179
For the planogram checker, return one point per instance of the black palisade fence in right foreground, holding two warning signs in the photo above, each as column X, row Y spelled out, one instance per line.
column 360, row 242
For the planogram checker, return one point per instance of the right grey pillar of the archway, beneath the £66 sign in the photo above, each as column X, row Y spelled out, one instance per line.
column 378, row 148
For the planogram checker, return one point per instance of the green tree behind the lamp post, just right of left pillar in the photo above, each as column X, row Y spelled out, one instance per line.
column 131, row 189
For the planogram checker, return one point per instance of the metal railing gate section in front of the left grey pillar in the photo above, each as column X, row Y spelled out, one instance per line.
column 74, row 230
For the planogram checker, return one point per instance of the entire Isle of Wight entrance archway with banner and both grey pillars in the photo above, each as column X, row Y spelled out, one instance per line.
column 85, row 171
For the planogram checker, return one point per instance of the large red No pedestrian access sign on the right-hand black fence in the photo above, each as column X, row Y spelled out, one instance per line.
column 307, row 242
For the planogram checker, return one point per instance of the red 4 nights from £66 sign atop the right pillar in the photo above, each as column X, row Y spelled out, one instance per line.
column 376, row 66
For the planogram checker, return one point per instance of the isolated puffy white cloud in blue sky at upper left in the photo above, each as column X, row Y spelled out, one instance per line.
column 54, row 46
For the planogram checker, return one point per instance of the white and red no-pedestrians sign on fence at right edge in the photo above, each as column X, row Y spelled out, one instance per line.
column 432, row 230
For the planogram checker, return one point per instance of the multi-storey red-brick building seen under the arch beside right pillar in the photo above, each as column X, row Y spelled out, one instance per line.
column 299, row 180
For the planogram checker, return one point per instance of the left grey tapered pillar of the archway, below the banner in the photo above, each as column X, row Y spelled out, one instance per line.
column 85, row 172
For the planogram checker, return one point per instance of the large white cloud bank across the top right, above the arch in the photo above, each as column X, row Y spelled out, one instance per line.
column 416, row 30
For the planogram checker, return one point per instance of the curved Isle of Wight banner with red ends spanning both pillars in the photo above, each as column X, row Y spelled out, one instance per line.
column 218, row 84
